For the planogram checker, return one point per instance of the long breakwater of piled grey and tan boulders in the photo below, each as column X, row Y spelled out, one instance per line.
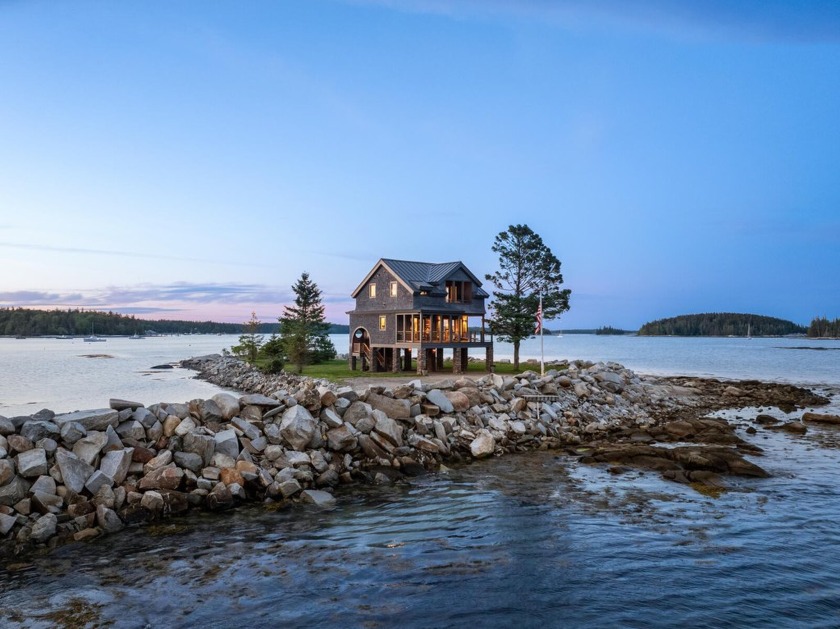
column 287, row 439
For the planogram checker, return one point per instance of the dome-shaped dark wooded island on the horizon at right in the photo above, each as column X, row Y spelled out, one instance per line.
column 721, row 324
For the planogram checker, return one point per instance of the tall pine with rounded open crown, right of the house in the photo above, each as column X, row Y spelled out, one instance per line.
column 527, row 267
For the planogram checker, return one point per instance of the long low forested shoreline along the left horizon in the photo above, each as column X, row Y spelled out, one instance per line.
column 33, row 322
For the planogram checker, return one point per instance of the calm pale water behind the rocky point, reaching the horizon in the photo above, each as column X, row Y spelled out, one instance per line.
column 68, row 374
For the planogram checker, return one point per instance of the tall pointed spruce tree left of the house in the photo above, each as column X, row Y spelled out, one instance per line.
column 303, row 331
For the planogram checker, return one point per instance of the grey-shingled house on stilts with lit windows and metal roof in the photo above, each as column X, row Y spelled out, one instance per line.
column 408, row 311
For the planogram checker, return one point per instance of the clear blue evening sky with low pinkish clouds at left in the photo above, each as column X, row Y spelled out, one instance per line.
column 191, row 159
